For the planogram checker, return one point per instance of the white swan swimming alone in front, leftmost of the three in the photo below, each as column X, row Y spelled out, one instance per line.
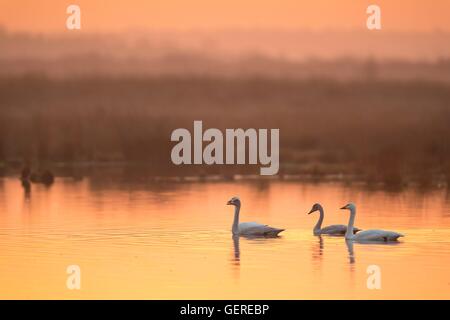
column 249, row 228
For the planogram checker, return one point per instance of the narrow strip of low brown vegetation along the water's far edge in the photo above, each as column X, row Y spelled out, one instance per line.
column 142, row 174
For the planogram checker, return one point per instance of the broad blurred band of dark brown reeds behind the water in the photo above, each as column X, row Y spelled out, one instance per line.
column 388, row 132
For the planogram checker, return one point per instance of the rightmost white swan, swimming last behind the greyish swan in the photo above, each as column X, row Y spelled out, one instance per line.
column 367, row 235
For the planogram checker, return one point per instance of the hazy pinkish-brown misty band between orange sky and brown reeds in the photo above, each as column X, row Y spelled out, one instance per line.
column 303, row 54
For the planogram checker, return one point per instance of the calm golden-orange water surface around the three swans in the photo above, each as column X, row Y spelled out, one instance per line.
column 173, row 241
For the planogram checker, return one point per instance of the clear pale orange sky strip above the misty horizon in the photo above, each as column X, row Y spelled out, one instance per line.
column 117, row 15
